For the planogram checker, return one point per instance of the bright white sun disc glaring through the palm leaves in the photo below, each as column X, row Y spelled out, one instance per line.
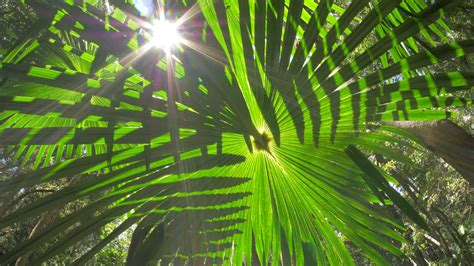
column 165, row 35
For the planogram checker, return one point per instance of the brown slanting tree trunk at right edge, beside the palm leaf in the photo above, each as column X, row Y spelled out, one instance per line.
column 447, row 140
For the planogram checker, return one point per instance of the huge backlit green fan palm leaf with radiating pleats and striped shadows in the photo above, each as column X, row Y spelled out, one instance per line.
column 242, row 141
